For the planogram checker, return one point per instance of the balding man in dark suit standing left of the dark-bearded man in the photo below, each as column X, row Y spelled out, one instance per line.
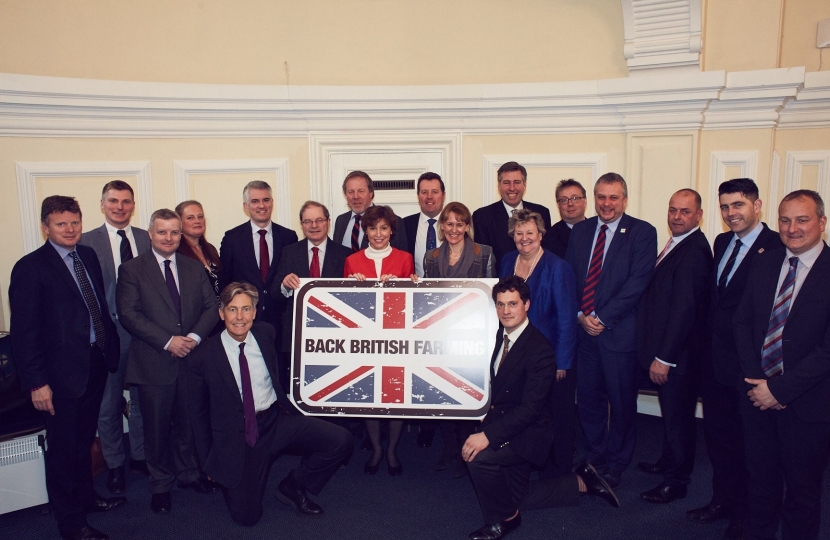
column 671, row 322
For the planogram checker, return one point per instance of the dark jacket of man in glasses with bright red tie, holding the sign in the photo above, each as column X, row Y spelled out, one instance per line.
column 294, row 260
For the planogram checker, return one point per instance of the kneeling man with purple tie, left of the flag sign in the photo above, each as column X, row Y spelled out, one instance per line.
column 241, row 418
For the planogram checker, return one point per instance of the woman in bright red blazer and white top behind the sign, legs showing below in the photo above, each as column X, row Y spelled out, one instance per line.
column 380, row 261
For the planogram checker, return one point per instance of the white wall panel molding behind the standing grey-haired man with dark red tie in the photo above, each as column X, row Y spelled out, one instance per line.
column 276, row 166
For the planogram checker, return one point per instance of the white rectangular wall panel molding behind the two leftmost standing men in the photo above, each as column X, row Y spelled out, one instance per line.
column 28, row 174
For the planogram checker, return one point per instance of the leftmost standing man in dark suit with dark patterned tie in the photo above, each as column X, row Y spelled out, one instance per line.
column 64, row 342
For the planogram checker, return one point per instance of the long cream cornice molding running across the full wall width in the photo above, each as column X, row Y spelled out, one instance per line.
column 36, row 106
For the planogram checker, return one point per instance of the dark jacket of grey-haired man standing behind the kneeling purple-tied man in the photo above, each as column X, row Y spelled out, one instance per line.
column 239, row 264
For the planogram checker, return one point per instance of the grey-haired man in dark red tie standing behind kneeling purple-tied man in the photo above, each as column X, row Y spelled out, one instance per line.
column 251, row 253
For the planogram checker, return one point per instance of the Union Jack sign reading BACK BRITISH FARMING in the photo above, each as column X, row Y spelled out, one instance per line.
column 398, row 350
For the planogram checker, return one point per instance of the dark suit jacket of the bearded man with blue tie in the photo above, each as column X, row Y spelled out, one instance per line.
column 723, row 354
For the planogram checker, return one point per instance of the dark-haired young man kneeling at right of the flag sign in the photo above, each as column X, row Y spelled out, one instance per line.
column 516, row 433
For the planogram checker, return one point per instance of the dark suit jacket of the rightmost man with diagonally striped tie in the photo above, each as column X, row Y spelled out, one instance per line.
column 805, row 383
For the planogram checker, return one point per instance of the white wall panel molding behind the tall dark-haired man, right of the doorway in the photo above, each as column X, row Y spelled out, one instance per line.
column 491, row 164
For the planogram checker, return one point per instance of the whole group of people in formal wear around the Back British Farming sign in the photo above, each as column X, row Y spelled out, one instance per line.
column 588, row 308
